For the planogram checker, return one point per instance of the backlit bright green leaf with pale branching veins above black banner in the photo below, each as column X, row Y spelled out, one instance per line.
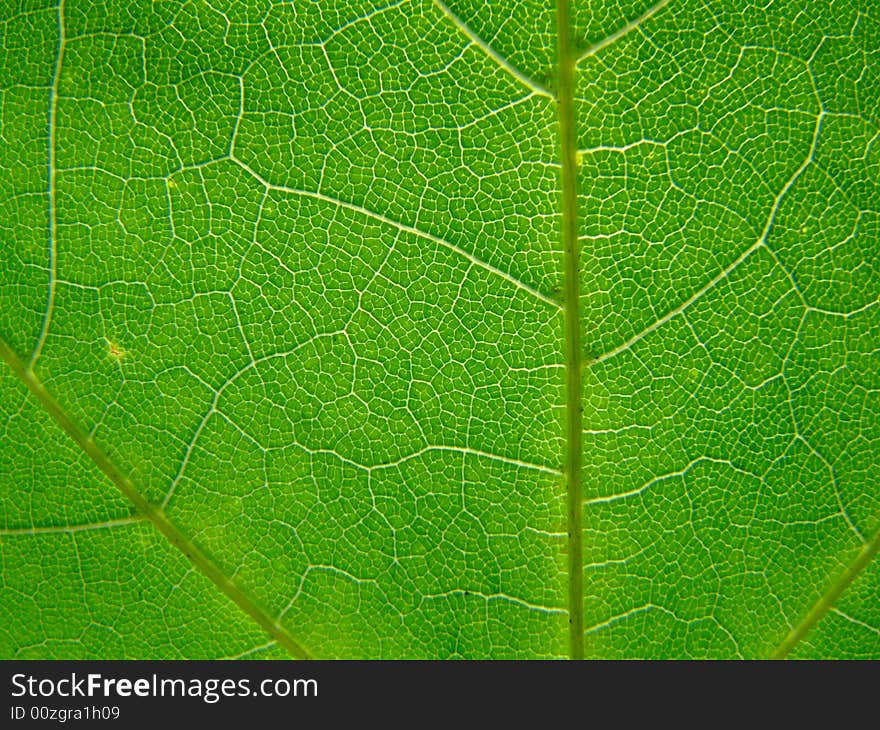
column 439, row 329
